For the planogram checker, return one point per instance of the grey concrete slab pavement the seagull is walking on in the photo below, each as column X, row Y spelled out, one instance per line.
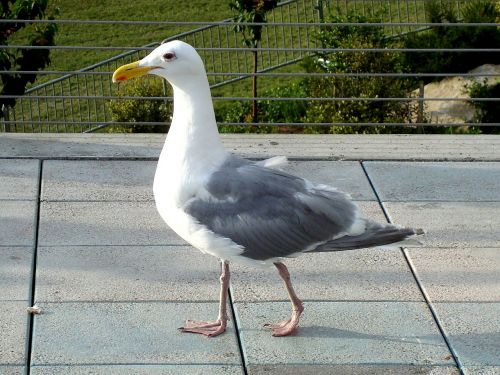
column 80, row 237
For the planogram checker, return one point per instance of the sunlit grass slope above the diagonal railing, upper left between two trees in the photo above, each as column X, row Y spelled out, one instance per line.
column 122, row 35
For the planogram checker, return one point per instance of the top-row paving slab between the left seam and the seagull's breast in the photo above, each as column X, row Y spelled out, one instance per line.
column 102, row 180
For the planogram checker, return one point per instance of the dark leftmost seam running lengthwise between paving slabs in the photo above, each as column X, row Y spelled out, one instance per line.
column 31, row 317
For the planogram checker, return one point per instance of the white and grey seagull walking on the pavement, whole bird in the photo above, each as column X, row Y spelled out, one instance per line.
column 239, row 210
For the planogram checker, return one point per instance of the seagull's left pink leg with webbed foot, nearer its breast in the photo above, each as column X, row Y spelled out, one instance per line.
column 212, row 329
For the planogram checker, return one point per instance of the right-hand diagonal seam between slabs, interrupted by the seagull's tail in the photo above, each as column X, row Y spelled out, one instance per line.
column 421, row 287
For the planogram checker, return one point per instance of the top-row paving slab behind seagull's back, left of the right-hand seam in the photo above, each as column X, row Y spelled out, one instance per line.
column 347, row 176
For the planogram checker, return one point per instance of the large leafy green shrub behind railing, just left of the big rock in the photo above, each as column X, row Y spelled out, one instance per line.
column 365, row 111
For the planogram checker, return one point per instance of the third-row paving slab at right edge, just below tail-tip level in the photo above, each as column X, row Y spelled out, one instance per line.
column 459, row 274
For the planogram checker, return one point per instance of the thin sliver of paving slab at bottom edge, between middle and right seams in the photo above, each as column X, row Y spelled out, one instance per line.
column 357, row 369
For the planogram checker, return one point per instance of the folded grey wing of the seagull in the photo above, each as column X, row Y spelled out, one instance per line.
column 268, row 212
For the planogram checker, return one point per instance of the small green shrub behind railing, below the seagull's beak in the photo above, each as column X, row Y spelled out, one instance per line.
column 140, row 110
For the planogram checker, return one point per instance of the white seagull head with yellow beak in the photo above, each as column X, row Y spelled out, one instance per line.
column 175, row 61
